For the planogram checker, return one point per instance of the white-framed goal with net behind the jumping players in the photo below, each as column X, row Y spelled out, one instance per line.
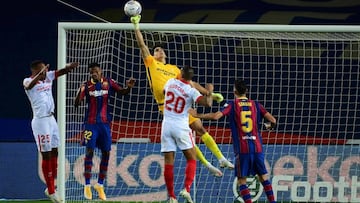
column 308, row 77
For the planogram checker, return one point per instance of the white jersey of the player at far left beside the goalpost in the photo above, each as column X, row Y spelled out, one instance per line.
column 40, row 96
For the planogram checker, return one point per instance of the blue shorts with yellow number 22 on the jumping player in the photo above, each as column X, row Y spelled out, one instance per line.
column 97, row 135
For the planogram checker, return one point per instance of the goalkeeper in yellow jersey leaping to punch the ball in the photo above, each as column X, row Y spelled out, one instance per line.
column 158, row 73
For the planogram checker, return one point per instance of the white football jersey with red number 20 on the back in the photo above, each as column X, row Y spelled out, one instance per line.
column 179, row 97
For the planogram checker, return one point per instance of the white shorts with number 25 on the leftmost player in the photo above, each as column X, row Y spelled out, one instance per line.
column 46, row 133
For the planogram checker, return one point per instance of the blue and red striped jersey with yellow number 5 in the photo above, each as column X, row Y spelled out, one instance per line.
column 245, row 117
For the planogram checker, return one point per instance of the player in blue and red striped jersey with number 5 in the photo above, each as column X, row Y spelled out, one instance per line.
column 245, row 117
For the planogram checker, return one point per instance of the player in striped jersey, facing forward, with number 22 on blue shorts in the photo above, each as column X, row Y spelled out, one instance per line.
column 97, row 133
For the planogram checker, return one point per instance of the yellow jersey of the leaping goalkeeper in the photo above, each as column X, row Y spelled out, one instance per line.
column 158, row 74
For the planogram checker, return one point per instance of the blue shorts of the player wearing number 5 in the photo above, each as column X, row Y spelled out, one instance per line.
column 250, row 164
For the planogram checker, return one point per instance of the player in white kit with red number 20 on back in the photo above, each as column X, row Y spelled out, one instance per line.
column 175, row 130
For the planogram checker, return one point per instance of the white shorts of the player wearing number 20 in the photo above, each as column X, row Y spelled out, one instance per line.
column 173, row 136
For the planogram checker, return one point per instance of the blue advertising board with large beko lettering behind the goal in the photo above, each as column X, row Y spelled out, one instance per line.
column 300, row 173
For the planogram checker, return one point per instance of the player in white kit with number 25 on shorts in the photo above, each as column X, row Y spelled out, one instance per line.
column 38, row 88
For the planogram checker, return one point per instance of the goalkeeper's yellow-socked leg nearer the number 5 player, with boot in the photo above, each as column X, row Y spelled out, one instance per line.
column 210, row 143
